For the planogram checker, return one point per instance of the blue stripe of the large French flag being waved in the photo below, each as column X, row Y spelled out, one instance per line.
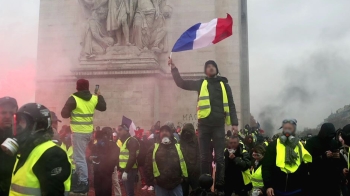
column 186, row 40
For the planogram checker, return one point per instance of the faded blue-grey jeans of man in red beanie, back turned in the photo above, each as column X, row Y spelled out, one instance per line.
column 79, row 143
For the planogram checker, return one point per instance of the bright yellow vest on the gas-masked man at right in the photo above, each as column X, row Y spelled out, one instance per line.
column 304, row 155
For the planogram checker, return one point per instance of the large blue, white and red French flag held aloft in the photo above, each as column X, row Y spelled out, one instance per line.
column 204, row 34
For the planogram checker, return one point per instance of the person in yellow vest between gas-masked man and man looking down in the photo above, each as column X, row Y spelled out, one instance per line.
column 257, row 180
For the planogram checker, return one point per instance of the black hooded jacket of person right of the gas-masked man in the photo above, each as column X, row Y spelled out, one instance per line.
column 322, row 169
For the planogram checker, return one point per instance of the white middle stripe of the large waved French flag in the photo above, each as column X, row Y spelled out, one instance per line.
column 205, row 34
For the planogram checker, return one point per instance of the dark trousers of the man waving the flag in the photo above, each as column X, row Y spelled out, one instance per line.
column 217, row 134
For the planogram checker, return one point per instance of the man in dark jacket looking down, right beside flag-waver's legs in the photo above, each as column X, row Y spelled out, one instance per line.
column 237, row 165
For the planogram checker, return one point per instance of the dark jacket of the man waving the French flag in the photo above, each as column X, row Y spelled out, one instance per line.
column 217, row 115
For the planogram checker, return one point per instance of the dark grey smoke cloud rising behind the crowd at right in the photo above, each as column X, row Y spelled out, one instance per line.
column 309, row 90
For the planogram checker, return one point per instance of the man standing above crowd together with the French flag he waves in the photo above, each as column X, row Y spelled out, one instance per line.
column 215, row 102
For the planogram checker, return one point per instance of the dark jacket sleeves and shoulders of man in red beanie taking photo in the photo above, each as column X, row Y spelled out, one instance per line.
column 71, row 104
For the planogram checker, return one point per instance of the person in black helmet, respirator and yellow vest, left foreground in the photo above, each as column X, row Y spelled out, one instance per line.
column 42, row 167
